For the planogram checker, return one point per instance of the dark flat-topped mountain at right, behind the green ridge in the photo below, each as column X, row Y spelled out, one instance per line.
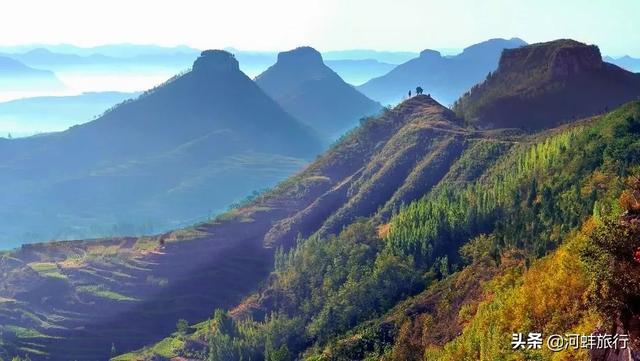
column 544, row 84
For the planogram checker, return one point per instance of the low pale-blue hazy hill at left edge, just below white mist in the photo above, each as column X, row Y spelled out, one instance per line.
column 29, row 116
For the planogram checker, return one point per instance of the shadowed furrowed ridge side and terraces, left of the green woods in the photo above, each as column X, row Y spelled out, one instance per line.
column 406, row 151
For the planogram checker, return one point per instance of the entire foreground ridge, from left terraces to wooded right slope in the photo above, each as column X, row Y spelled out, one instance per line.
column 503, row 202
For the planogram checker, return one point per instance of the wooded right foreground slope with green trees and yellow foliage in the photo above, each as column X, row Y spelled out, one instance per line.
column 456, row 273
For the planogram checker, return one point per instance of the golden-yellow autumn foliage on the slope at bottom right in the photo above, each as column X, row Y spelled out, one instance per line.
column 547, row 298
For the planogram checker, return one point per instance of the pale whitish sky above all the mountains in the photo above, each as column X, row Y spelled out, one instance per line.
column 325, row 24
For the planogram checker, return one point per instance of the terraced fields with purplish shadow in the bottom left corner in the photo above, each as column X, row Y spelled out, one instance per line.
column 91, row 296
